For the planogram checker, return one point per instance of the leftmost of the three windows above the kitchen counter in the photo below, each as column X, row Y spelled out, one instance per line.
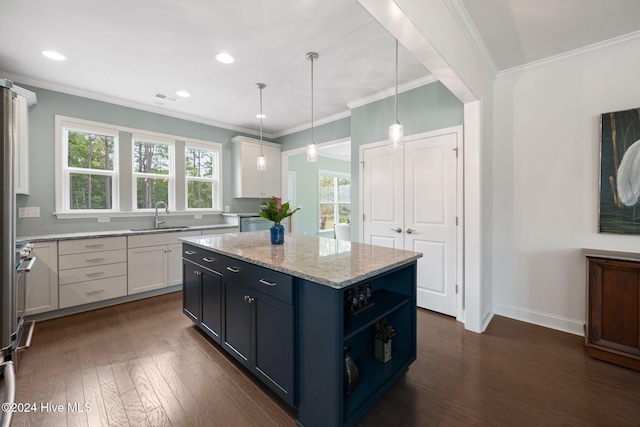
column 90, row 168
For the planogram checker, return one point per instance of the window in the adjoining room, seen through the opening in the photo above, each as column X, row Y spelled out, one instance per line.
column 334, row 199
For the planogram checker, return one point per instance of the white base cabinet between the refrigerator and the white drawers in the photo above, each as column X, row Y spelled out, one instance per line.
column 42, row 280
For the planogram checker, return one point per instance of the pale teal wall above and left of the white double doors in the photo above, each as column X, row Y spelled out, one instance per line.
column 426, row 108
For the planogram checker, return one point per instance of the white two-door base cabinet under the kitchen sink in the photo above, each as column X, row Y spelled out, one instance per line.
column 155, row 260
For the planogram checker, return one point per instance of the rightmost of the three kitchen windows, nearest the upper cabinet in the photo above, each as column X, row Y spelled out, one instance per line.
column 202, row 177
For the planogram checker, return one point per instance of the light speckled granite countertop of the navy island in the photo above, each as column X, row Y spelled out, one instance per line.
column 330, row 262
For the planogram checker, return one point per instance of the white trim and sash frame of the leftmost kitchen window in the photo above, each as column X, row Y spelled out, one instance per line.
column 63, row 171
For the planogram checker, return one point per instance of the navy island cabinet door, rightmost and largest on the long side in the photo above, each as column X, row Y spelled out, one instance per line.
column 273, row 360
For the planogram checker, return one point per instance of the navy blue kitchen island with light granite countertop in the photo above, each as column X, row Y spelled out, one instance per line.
column 287, row 313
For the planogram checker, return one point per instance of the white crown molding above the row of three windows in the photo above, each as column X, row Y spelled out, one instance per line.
column 116, row 101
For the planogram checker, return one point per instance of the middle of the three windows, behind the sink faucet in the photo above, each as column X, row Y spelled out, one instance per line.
column 152, row 171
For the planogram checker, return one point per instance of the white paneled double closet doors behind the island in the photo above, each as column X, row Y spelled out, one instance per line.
column 410, row 201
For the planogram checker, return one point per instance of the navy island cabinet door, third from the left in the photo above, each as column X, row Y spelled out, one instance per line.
column 237, row 320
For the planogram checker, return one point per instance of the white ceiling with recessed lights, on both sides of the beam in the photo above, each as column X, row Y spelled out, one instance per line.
column 124, row 51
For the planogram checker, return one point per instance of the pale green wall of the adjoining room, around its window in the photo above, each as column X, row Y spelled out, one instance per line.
column 306, row 220
